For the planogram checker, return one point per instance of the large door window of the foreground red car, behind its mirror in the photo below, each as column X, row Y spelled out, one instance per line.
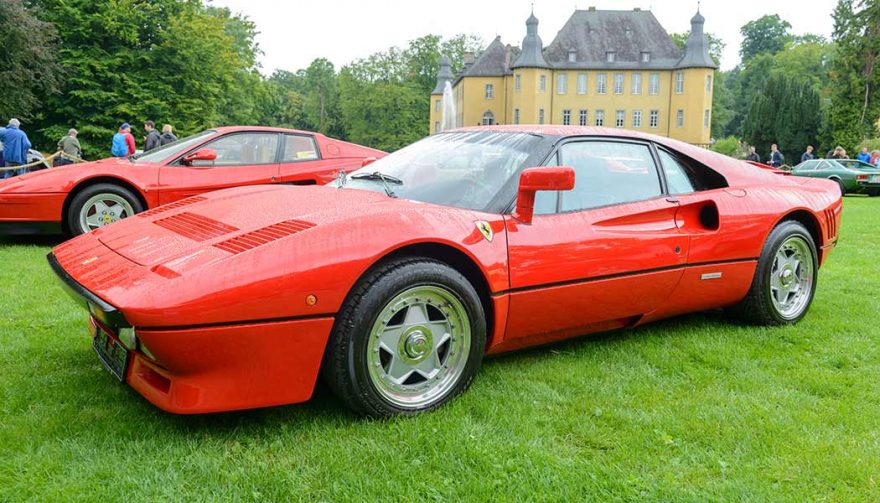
column 608, row 173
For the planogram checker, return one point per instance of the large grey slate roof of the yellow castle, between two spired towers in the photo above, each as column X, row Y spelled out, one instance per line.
column 592, row 33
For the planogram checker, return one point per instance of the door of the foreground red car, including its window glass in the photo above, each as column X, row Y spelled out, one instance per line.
column 606, row 253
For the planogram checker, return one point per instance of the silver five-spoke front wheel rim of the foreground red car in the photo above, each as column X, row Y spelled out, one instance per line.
column 418, row 346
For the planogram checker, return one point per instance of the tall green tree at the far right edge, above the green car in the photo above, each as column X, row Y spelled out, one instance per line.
column 855, row 71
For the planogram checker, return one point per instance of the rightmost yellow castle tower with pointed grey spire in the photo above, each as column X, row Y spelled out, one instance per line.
column 692, row 84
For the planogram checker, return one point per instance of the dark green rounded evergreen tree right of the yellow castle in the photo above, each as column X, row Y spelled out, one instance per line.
column 785, row 112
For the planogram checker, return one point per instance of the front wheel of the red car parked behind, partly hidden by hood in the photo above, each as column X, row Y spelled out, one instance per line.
column 100, row 205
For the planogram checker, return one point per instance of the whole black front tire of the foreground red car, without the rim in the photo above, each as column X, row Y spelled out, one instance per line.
column 345, row 366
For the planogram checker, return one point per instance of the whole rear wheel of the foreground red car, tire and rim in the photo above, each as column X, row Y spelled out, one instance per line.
column 785, row 278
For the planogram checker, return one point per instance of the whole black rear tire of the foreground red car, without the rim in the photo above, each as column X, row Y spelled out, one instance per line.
column 758, row 307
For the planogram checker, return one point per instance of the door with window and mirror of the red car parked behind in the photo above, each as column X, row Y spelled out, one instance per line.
column 243, row 158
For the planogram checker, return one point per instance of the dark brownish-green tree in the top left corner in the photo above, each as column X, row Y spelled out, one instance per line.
column 28, row 66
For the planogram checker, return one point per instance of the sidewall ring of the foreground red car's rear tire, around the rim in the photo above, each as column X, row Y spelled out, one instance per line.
column 779, row 234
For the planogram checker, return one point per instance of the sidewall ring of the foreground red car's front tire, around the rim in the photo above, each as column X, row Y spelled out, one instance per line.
column 371, row 304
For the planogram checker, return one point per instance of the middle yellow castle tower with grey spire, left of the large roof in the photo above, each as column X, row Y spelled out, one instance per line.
column 532, row 80
